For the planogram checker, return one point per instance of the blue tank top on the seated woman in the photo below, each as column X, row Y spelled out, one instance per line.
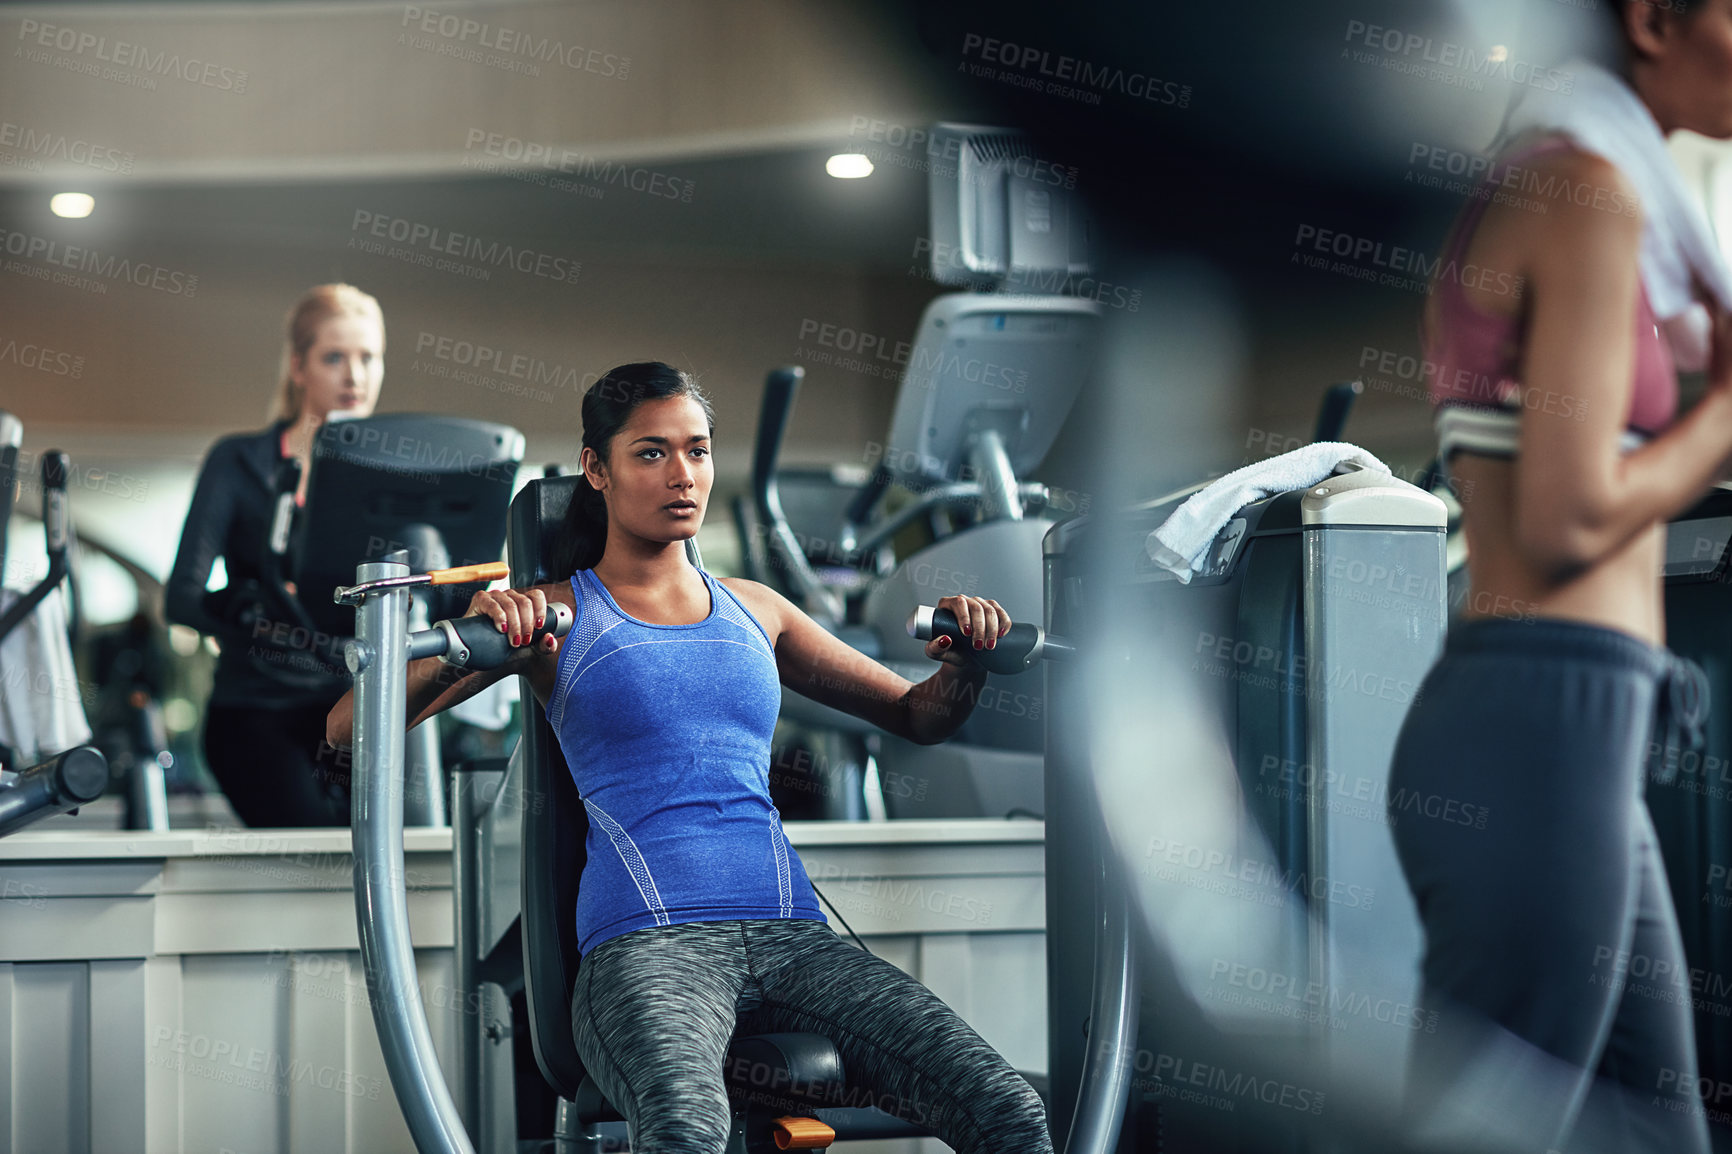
column 668, row 736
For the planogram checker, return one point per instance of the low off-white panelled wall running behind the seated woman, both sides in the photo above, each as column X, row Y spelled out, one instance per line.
column 228, row 1008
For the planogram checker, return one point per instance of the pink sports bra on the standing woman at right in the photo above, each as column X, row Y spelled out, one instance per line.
column 1477, row 356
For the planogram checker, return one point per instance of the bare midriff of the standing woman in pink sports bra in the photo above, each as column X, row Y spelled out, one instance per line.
column 1622, row 592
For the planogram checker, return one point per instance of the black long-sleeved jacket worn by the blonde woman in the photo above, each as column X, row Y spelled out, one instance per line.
column 266, row 663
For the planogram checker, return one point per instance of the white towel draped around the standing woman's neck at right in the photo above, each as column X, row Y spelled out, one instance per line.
column 1679, row 254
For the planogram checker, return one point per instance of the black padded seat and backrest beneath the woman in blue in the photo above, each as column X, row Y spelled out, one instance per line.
column 782, row 1068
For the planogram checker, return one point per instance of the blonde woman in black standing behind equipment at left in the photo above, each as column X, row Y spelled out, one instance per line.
column 264, row 725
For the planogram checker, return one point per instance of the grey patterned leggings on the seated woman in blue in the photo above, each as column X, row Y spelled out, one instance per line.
column 654, row 1013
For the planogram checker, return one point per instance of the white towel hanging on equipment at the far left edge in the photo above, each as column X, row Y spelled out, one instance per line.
column 42, row 703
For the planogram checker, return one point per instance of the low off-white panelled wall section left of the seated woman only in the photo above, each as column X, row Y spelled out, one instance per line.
column 238, row 1023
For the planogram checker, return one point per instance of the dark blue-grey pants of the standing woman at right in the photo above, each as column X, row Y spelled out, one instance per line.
column 1553, row 950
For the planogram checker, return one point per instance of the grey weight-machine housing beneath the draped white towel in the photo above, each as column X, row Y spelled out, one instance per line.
column 1220, row 765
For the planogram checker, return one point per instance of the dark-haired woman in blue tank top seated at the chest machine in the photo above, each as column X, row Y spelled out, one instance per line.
column 694, row 914
